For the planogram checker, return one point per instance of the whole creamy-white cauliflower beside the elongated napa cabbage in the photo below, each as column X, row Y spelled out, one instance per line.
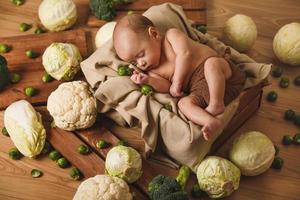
column 73, row 106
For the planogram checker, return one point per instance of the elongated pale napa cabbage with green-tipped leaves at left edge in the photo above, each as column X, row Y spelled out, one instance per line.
column 25, row 128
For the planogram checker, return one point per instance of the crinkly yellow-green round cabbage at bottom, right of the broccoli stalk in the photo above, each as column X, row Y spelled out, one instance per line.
column 218, row 177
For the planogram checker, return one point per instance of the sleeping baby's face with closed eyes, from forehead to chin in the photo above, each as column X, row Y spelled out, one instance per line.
column 142, row 51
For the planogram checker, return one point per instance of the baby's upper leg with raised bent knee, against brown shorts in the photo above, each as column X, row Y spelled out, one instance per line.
column 216, row 72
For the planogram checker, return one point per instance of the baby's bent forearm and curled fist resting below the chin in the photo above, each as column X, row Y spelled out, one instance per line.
column 157, row 82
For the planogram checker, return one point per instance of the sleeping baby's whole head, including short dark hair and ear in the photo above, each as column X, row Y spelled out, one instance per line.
column 138, row 41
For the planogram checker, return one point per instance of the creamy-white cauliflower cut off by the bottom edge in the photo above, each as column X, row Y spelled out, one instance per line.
column 103, row 187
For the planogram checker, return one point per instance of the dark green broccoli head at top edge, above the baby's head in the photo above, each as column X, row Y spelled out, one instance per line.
column 105, row 9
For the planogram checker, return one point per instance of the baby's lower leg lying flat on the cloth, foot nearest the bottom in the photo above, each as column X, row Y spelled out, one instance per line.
column 189, row 107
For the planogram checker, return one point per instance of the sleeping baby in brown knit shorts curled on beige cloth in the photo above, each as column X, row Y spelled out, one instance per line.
column 175, row 63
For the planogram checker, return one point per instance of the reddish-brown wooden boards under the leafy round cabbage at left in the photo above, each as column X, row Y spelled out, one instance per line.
column 31, row 70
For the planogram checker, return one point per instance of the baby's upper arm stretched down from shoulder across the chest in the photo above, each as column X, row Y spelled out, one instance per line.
column 180, row 44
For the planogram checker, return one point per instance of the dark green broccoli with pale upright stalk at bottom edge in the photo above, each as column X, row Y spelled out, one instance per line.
column 169, row 188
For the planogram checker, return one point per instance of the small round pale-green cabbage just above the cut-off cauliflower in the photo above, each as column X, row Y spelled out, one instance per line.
column 124, row 162
